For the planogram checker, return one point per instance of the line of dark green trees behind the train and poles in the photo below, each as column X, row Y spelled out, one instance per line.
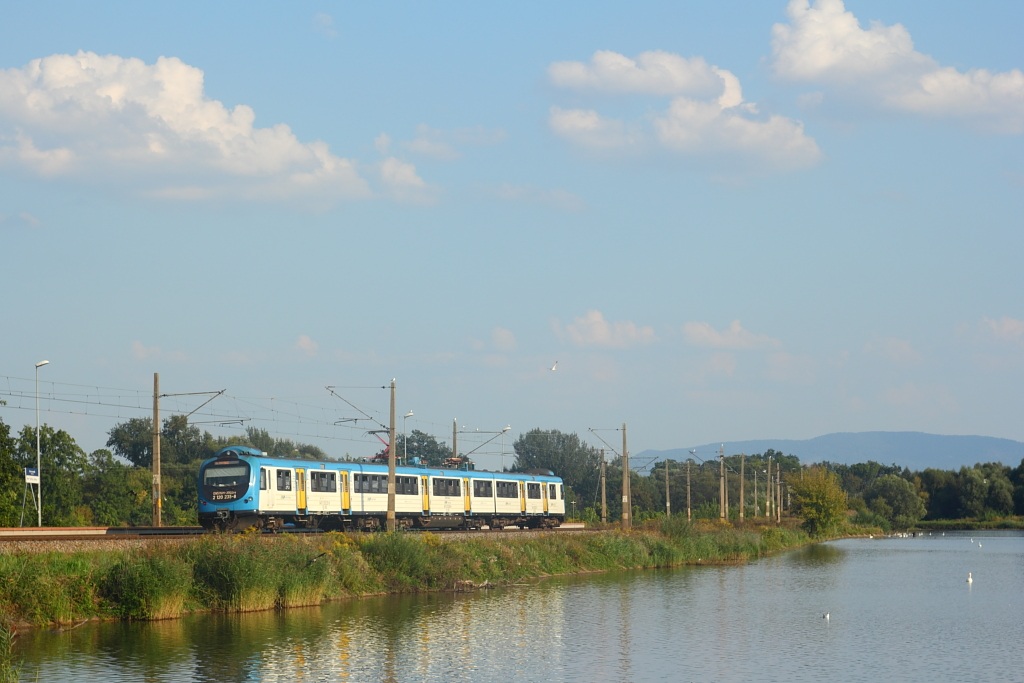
column 113, row 487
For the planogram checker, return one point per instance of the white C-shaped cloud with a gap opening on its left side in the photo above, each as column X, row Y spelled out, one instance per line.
column 706, row 116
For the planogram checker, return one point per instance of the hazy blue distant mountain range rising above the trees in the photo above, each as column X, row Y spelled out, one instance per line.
column 916, row 451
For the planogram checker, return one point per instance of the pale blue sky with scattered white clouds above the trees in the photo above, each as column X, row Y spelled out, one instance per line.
column 723, row 221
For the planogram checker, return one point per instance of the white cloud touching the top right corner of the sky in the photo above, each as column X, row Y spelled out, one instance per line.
column 826, row 45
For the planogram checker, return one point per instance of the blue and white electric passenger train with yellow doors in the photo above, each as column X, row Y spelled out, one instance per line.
column 241, row 488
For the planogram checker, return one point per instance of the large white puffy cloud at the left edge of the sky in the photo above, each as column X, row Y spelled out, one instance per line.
column 105, row 116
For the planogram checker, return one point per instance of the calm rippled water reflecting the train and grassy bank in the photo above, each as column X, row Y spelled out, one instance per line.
column 901, row 610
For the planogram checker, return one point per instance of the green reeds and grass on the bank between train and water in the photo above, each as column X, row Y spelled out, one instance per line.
column 249, row 573
